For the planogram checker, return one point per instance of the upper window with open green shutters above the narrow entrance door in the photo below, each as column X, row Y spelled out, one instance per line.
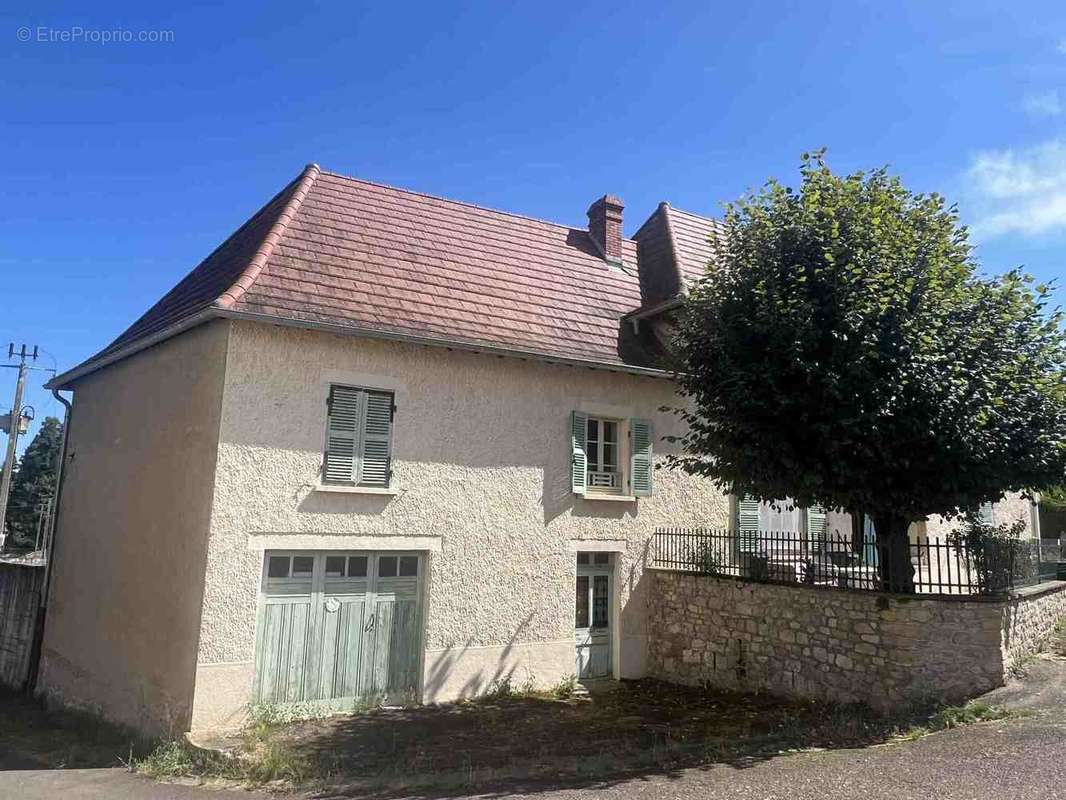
column 610, row 457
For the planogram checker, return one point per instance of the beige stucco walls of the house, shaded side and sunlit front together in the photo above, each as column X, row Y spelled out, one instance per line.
column 164, row 527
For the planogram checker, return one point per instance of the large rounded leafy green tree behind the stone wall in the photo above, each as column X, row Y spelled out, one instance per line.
column 844, row 350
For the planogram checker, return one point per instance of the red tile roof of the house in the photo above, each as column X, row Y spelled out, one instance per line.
column 359, row 257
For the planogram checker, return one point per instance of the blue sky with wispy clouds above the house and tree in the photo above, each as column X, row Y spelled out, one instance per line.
column 126, row 163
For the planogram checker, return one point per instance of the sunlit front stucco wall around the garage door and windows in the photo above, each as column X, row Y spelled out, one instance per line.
column 482, row 478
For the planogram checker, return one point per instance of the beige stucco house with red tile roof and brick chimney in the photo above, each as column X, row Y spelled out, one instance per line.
column 377, row 447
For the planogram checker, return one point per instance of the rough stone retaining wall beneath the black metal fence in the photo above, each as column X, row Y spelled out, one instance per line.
column 843, row 646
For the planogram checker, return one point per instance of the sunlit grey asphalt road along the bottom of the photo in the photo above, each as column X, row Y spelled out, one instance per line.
column 1020, row 759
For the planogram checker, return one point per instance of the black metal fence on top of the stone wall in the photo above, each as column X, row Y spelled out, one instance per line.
column 788, row 557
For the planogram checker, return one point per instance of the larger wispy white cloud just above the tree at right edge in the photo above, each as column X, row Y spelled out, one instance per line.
column 1019, row 191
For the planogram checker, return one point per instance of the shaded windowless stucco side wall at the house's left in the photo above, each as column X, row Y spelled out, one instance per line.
column 131, row 551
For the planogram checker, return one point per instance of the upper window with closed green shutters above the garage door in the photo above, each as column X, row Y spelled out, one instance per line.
column 359, row 438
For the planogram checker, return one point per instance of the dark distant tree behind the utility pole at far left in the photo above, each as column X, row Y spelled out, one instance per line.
column 34, row 485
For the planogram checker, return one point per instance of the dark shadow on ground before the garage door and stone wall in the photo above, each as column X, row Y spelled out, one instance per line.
column 529, row 744
